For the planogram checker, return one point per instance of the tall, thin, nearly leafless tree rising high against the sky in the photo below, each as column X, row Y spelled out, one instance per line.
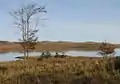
column 24, row 20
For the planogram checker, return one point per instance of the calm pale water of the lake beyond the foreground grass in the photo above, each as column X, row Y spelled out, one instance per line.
column 11, row 55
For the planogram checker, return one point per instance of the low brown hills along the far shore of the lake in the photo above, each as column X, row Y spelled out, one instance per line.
column 52, row 46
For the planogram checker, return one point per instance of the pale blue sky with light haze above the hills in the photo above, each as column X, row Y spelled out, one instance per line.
column 68, row 20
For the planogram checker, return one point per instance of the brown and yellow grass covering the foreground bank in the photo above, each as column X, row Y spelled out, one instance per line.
column 69, row 70
